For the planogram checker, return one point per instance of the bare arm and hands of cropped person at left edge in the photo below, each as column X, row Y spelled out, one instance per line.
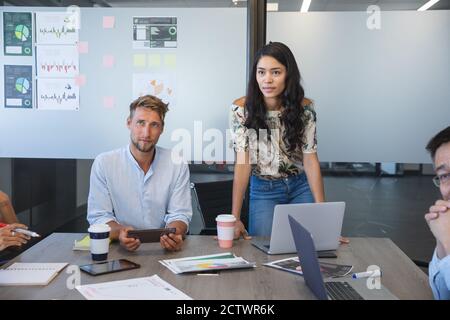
column 9, row 222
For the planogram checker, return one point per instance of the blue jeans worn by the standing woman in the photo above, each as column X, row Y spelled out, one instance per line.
column 265, row 194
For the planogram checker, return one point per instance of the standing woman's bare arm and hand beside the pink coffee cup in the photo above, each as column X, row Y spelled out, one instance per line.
column 242, row 172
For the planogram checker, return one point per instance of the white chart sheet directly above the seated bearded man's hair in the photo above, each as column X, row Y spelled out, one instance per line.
column 161, row 85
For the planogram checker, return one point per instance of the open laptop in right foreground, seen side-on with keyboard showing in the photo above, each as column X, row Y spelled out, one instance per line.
column 332, row 289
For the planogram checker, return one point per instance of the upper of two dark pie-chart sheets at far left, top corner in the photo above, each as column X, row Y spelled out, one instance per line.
column 17, row 33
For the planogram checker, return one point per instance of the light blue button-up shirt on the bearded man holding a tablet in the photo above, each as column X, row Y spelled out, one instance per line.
column 120, row 191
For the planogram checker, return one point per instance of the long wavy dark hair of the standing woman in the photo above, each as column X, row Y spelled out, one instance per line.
column 291, row 98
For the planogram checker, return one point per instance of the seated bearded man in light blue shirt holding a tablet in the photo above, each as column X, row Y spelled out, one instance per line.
column 140, row 186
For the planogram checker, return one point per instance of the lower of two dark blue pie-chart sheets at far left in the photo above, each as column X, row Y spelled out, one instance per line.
column 18, row 86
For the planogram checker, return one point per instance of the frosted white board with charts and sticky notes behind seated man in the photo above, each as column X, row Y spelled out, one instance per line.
column 208, row 75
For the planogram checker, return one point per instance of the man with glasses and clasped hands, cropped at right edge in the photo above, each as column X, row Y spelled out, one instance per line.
column 438, row 218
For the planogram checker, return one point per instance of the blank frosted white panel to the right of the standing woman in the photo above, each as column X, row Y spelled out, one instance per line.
column 380, row 95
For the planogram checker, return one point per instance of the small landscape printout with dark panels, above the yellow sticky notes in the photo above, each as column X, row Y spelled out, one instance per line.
column 154, row 32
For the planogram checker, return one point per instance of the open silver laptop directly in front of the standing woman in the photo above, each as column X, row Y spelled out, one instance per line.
column 323, row 219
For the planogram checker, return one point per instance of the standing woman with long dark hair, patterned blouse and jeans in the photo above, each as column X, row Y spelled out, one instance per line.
column 274, row 137
